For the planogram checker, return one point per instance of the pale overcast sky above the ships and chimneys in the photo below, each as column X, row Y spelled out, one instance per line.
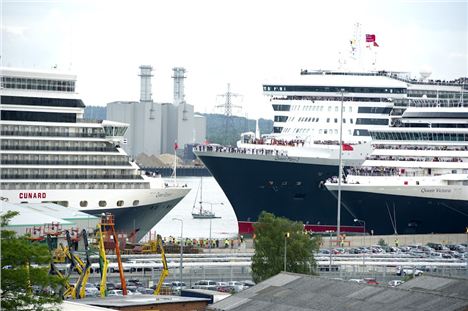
column 242, row 42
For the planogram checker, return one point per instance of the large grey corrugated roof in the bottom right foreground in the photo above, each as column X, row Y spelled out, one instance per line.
column 304, row 292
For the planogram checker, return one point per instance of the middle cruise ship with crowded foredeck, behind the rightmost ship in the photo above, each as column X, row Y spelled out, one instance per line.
column 283, row 173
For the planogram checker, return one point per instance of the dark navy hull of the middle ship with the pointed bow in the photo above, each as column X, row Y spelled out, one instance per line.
column 283, row 186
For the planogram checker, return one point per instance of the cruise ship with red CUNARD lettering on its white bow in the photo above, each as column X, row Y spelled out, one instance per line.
column 49, row 153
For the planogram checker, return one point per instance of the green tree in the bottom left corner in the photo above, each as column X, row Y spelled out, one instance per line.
column 25, row 282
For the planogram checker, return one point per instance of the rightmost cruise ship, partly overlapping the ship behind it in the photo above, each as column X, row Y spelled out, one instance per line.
column 416, row 179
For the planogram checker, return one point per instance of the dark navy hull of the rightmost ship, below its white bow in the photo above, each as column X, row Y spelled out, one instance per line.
column 387, row 213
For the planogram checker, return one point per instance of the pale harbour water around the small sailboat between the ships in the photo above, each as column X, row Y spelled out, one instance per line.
column 221, row 228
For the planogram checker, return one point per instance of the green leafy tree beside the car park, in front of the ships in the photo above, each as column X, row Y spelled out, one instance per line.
column 270, row 235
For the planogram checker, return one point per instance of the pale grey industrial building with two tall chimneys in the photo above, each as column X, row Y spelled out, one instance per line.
column 156, row 127
